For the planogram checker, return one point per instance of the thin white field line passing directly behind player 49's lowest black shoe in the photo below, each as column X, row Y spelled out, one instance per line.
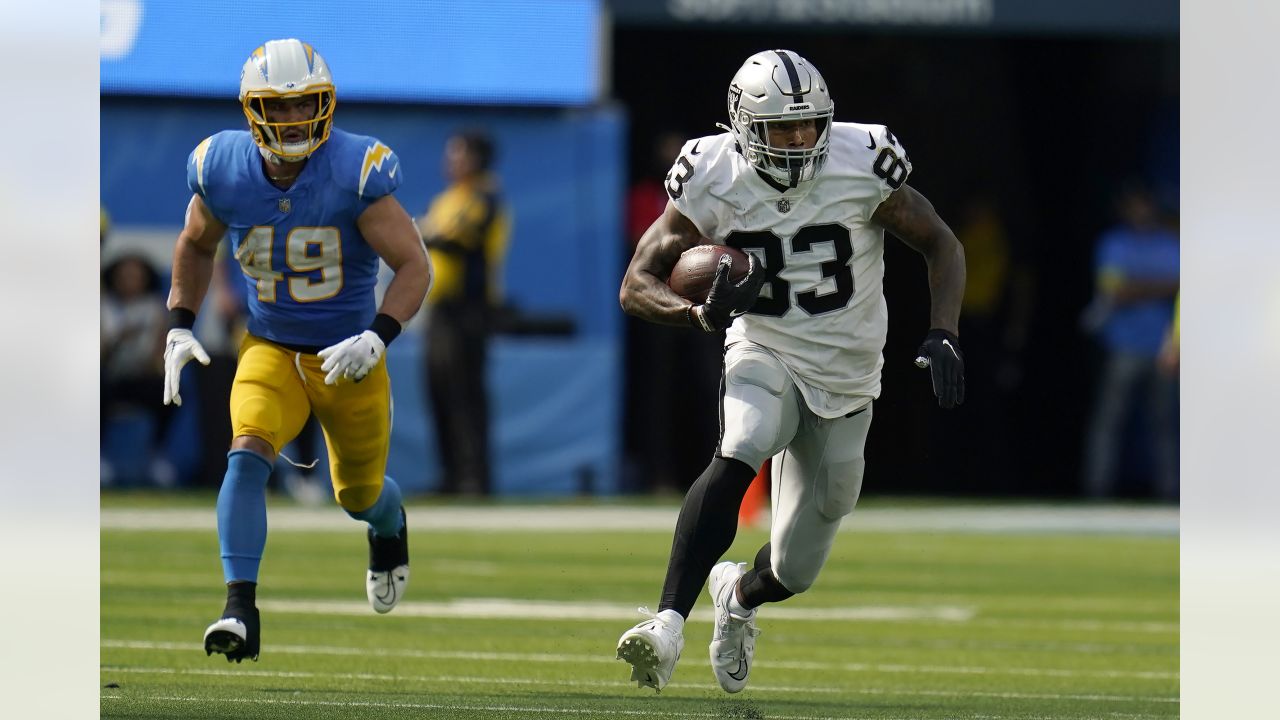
column 601, row 659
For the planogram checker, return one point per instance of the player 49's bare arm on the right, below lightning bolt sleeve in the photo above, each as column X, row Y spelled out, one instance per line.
column 391, row 233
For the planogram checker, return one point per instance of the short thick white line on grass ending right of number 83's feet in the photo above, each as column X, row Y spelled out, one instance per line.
column 504, row 609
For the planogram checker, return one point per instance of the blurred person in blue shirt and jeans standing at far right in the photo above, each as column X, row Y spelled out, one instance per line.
column 1137, row 271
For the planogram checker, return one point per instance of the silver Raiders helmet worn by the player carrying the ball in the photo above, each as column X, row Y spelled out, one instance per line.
column 780, row 86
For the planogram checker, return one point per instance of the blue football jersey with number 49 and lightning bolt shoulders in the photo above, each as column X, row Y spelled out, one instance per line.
column 309, row 272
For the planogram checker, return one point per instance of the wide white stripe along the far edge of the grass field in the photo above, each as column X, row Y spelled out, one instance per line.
column 964, row 520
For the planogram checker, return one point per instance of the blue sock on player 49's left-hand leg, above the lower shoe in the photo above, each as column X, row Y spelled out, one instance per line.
column 243, row 514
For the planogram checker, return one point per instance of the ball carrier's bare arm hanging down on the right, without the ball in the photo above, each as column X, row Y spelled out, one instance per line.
column 911, row 217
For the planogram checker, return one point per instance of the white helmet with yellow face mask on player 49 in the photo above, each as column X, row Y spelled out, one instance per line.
column 287, row 69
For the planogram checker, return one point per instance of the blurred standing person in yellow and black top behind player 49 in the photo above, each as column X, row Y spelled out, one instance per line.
column 467, row 230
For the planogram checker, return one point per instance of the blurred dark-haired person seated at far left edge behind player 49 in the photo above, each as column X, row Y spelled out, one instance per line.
column 134, row 325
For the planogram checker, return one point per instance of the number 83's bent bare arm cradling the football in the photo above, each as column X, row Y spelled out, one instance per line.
column 644, row 288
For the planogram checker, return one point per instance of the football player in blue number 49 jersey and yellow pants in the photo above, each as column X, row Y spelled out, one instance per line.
column 309, row 211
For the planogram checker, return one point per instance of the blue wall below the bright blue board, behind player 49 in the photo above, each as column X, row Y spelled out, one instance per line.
column 556, row 400
